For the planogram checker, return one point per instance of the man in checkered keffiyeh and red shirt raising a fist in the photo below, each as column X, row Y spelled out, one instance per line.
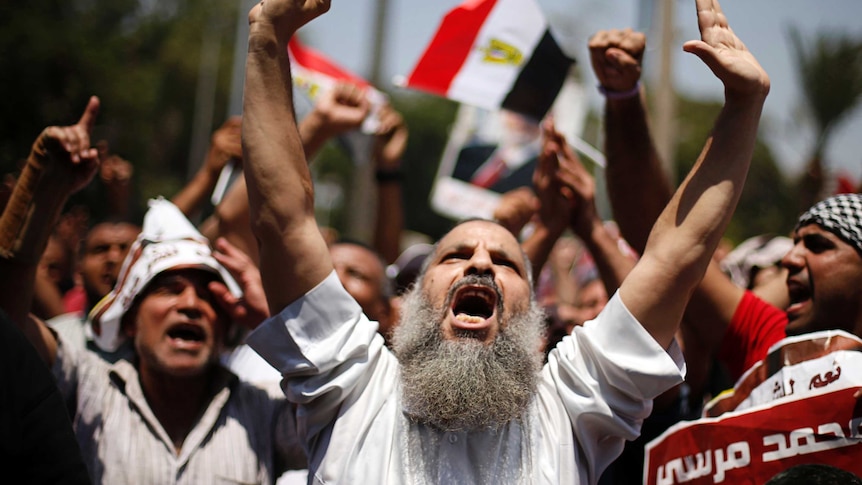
column 725, row 320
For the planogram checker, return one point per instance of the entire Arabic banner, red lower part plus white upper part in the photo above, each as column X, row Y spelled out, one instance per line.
column 794, row 407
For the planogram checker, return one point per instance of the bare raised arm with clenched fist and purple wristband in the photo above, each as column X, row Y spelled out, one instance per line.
column 637, row 185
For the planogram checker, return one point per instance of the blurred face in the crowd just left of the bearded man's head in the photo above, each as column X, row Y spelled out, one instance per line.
column 362, row 274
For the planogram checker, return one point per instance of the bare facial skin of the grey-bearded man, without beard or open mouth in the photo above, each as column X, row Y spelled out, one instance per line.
column 477, row 248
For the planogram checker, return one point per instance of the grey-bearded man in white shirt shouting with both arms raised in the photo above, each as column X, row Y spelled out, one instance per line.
column 462, row 397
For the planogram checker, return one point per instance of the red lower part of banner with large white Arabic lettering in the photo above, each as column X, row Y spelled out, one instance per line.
column 750, row 447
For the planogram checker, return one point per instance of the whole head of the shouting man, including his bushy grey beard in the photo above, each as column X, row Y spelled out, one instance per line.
column 470, row 335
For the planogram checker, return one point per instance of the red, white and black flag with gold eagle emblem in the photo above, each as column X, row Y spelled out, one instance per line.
column 493, row 54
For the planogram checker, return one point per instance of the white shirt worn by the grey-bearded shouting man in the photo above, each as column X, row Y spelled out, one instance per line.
column 593, row 394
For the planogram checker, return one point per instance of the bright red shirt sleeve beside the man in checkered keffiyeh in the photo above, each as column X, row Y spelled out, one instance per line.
column 756, row 326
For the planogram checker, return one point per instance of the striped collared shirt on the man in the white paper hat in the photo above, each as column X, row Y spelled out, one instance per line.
column 243, row 436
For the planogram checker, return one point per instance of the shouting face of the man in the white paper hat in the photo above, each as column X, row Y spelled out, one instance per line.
column 176, row 327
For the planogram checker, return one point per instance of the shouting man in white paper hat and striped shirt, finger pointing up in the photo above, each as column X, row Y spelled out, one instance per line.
column 172, row 414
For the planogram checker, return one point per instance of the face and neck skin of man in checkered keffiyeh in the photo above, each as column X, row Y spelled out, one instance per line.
column 825, row 282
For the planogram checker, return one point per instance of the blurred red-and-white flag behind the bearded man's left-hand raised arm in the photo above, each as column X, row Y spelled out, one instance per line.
column 313, row 73
